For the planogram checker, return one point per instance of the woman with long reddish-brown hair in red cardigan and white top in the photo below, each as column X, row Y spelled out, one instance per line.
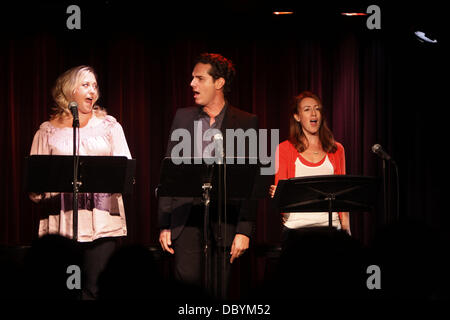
column 310, row 150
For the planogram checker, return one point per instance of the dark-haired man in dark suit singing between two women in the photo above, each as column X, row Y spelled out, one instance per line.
column 181, row 219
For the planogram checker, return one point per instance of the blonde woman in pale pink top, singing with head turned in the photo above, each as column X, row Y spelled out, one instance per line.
column 101, row 216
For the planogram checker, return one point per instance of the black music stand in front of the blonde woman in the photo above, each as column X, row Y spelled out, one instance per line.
column 98, row 174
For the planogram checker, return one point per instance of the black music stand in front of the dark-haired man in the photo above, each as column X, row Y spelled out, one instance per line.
column 199, row 178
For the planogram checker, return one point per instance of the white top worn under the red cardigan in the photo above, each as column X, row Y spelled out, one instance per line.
column 304, row 168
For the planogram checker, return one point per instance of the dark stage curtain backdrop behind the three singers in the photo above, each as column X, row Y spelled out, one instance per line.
column 377, row 86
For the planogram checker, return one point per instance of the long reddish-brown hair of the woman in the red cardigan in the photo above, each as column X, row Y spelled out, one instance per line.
column 296, row 135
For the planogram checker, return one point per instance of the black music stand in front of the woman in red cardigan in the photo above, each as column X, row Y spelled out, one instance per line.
column 326, row 193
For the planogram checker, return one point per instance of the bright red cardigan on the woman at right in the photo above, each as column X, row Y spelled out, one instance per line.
column 287, row 154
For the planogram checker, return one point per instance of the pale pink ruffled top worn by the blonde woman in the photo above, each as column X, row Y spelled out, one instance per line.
column 100, row 214
